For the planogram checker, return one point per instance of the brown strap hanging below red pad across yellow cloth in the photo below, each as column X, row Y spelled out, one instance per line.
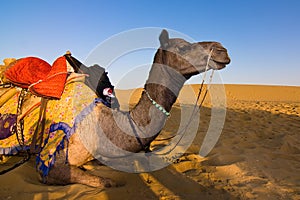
column 37, row 139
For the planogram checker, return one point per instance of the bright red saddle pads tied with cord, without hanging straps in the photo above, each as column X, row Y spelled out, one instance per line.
column 41, row 78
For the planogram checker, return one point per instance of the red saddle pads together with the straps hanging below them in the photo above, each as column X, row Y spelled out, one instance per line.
column 41, row 79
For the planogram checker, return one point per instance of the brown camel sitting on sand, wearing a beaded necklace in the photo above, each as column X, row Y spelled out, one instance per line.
column 175, row 61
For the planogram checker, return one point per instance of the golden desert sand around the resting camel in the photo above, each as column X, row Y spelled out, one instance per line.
column 256, row 157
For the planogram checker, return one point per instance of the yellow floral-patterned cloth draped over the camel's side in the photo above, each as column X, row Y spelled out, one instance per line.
column 75, row 98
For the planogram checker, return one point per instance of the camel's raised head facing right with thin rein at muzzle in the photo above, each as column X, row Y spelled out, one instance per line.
column 190, row 58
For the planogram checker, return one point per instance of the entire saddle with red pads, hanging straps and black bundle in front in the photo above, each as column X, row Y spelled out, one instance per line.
column 38, row 77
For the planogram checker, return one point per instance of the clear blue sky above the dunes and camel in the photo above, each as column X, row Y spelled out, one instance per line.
column 262, row 36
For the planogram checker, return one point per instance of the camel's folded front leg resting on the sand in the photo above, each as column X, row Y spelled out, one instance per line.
column 63, row 174
